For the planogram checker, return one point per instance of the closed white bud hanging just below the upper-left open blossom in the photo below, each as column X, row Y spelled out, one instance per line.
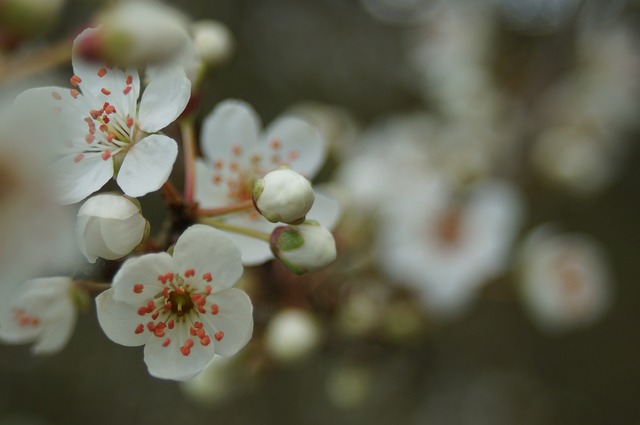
column 109, row 226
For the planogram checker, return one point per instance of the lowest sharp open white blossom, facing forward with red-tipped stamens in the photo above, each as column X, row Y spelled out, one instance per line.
column 182, row 307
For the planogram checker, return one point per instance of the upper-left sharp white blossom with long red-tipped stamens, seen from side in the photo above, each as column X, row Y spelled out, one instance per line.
column 104, row 132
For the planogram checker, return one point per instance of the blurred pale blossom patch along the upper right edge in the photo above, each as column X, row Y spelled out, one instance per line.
column 584, row 116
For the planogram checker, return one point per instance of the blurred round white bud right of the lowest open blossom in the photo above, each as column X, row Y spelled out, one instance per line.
column 292, row 335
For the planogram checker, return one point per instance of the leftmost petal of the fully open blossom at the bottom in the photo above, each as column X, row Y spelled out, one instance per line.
column 119, row 320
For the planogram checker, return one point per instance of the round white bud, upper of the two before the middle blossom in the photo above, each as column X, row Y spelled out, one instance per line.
column 283, row 196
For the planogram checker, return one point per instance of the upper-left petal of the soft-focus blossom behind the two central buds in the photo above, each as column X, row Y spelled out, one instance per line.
column 230, row 129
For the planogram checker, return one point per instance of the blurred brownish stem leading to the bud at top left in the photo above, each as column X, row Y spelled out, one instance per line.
column 36, row 63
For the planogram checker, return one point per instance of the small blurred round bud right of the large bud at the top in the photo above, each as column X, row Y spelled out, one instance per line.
column 212, row 40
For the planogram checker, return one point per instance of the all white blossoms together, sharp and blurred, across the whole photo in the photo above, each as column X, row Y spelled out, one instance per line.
column 435, row 218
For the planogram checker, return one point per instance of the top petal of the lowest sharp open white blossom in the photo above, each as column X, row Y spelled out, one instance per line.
column 207, row 250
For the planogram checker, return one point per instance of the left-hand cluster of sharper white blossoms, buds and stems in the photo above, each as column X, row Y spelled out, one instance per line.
column 245, row 202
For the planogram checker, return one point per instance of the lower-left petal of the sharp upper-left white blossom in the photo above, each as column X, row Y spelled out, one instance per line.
column 75, row 180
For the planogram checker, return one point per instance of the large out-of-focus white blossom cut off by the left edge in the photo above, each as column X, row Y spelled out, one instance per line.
column 37, row 234
